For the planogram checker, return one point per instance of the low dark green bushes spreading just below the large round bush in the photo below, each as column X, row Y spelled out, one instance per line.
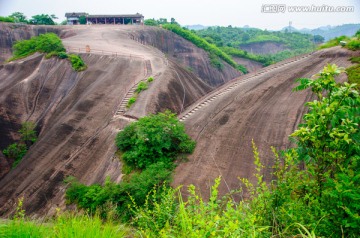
column 96, row 197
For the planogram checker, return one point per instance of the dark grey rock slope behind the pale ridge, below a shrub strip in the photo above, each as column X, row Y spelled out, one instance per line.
column 184, row 53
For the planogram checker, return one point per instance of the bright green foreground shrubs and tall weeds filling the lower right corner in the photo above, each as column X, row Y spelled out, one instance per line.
column 319, row 201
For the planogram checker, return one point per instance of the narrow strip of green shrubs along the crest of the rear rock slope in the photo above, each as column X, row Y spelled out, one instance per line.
column 201, row 43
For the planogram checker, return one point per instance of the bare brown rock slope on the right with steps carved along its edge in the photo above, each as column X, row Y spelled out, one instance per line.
column 260, row 107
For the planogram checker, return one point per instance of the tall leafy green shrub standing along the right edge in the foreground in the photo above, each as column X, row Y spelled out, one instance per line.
column 329, row 143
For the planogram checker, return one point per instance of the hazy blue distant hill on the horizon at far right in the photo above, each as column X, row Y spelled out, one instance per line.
column 328, row 32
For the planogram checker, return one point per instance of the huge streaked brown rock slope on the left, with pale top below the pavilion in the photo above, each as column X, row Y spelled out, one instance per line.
column 75, row 113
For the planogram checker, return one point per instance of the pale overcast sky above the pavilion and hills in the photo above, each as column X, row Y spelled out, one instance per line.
column 190, row 12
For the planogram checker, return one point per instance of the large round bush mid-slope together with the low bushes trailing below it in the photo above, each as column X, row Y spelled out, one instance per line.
column 149, row 146
